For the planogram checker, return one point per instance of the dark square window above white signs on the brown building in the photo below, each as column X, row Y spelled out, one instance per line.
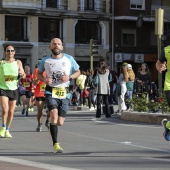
column 128, row 38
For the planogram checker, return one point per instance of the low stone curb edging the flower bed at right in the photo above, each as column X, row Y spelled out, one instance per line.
column 144, row 117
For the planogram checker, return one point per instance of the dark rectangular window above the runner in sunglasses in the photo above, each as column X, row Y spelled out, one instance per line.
column 15, row 28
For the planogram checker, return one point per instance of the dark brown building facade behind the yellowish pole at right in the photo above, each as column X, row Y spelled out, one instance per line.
column 136, row 42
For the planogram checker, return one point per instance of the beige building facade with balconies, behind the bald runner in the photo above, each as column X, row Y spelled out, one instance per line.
column 30, row 25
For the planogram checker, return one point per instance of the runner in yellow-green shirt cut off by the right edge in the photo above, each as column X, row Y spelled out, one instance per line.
column 162, row 66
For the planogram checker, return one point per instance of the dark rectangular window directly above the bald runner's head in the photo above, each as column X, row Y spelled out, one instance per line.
column 50, row 28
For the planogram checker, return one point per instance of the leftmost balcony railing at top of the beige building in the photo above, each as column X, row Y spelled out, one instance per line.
column 26, row 4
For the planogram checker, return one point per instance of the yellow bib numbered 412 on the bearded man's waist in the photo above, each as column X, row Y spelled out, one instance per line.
column 59, row 92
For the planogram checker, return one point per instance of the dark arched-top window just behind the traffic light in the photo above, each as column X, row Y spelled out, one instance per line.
column 86, row 30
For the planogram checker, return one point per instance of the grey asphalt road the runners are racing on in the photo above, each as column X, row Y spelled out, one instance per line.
column 107, row 144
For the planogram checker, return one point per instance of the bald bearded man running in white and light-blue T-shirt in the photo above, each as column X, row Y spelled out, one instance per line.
column 60, row 69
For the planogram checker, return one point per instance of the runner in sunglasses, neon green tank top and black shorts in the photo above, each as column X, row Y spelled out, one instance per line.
column 10, row 70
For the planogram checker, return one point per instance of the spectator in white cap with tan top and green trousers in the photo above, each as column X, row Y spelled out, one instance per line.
column 129, row 83
